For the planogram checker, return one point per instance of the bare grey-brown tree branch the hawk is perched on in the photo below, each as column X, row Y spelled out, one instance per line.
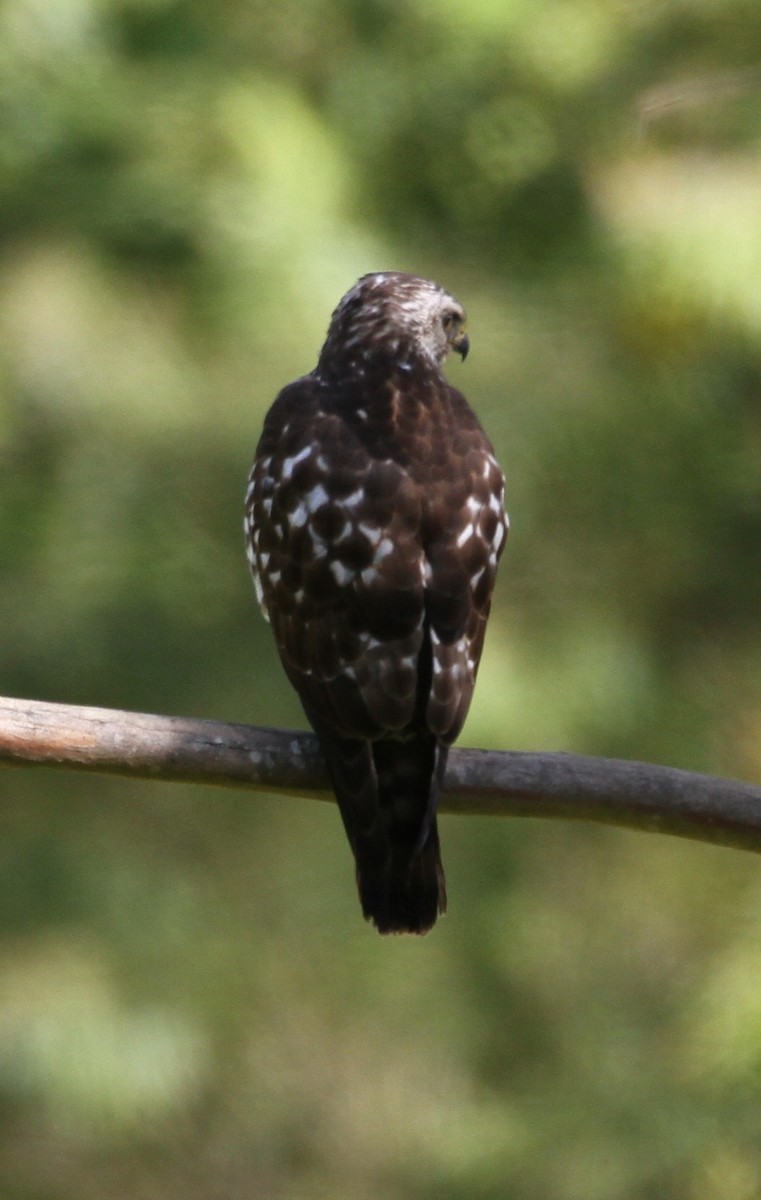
column 636, row 795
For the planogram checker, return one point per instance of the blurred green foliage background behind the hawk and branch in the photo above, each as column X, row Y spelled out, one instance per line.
column 190, row 1003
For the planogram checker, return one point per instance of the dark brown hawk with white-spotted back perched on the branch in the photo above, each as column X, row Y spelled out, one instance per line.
column 375, row 521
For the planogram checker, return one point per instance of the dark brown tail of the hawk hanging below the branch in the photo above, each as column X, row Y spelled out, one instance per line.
column 387, row 793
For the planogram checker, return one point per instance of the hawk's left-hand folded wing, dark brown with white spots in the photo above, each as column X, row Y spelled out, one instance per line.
column 334, row 543
